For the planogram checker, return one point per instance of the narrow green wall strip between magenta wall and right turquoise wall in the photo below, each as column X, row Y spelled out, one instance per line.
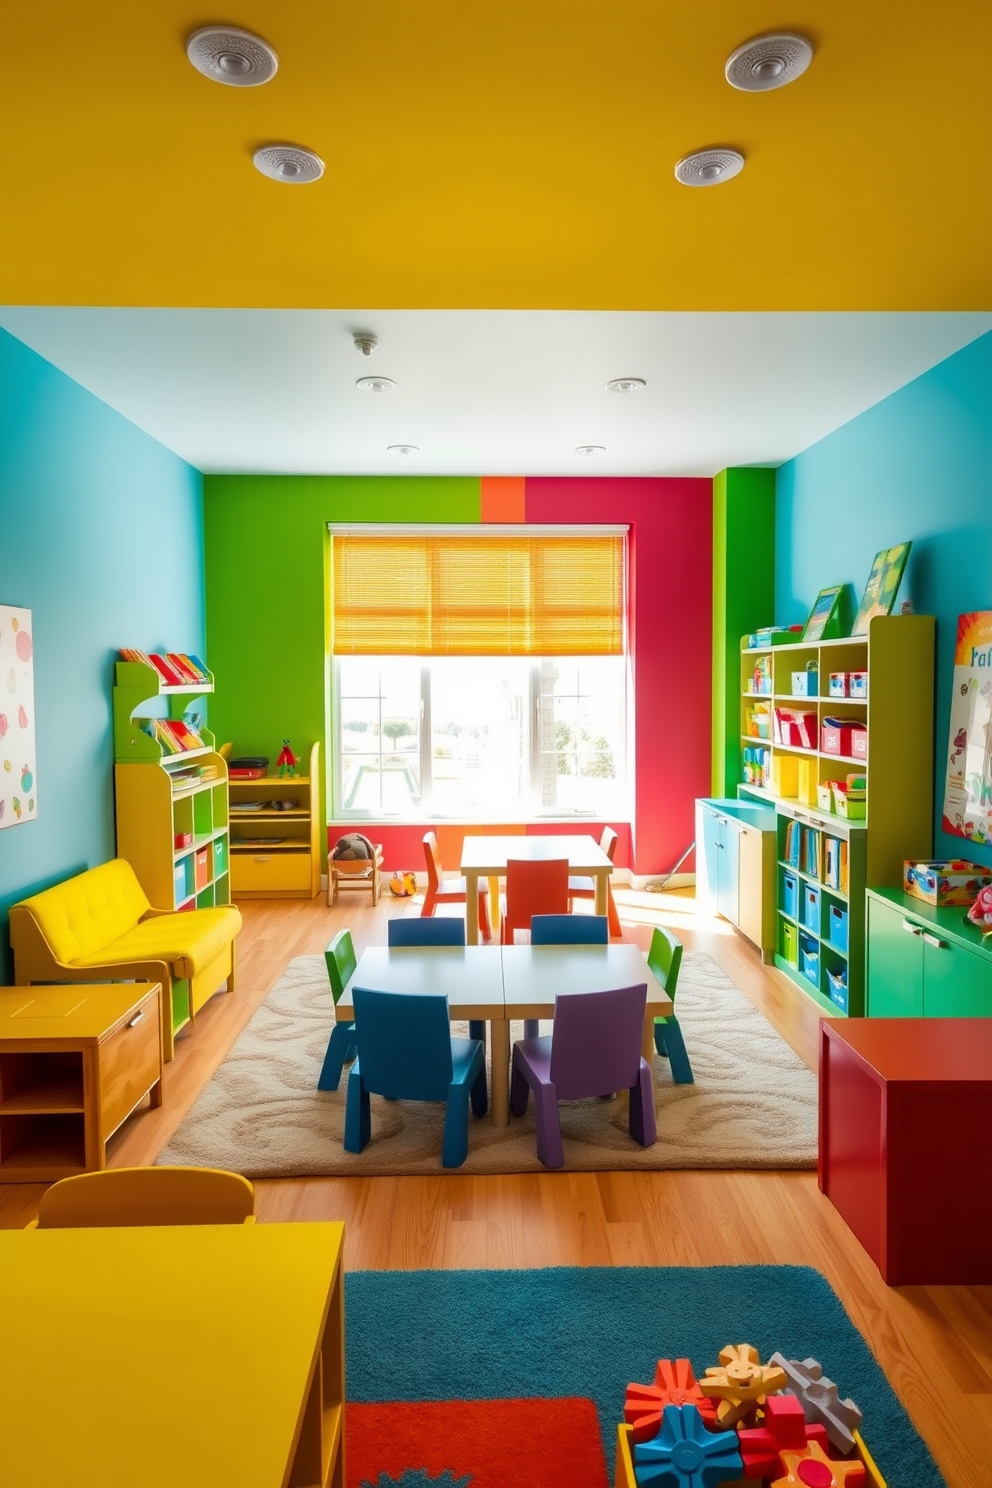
column 743, row 600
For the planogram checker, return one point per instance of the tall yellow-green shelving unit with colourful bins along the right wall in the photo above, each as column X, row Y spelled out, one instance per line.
column 899, row 660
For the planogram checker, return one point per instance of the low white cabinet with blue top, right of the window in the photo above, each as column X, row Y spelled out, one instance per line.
column 735, row 867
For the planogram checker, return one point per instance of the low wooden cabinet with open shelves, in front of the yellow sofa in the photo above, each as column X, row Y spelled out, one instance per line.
column 75, row 1062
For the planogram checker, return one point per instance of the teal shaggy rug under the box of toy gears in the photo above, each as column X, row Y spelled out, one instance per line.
column 572, row 1331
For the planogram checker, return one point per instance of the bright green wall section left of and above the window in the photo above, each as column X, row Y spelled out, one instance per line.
column 265, row 547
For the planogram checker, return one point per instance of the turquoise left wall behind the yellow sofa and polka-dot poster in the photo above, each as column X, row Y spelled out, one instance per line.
column 102, row 538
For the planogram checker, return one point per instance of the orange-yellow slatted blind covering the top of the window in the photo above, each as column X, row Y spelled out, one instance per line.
column 478, row 596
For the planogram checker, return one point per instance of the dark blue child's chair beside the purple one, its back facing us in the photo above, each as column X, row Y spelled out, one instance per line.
column 407, row 1054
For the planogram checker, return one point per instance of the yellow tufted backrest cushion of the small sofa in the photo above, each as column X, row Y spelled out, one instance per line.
column 83, row 916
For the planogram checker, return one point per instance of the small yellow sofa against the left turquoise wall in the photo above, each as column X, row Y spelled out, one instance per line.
column 100, row 928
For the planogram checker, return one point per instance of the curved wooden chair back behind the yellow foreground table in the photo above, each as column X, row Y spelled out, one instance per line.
column 148, row 1197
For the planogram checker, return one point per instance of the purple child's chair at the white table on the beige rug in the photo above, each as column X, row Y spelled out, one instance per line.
column 594, row 1050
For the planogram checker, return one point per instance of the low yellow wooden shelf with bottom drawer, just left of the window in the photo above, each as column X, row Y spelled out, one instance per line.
column 276, row 855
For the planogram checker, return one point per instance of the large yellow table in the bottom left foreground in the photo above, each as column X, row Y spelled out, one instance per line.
column 203, row 1356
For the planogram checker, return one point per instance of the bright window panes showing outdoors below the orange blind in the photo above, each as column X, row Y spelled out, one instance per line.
column 487, row 737
